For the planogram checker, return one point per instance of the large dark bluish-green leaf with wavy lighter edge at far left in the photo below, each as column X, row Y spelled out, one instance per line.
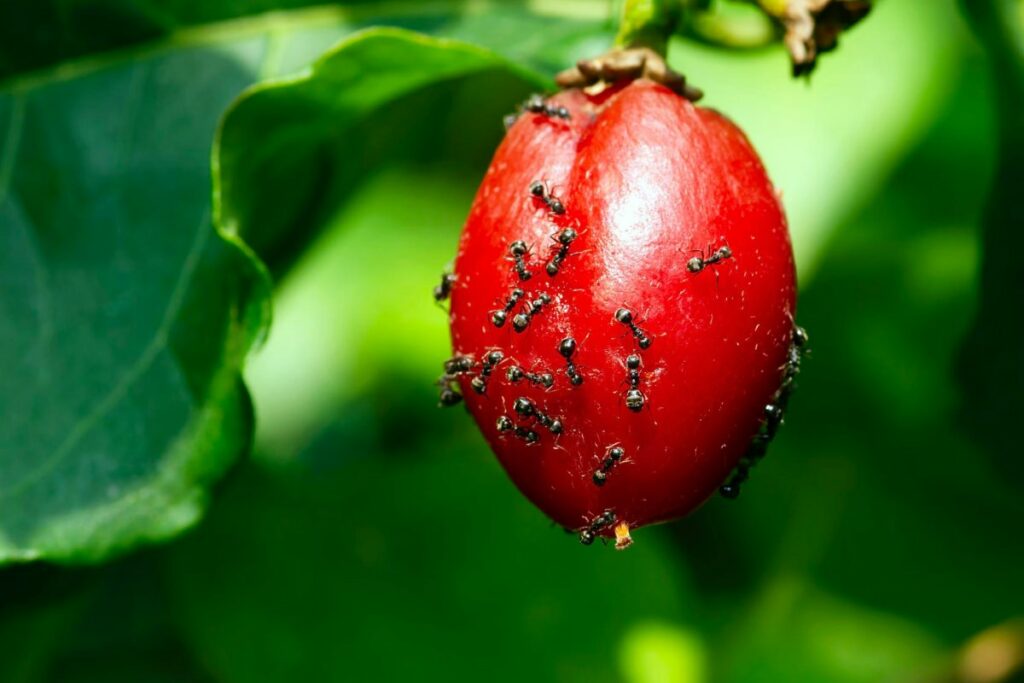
column 125, row 317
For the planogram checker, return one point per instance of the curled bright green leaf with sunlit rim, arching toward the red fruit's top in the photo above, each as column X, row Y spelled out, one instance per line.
column 290, row 152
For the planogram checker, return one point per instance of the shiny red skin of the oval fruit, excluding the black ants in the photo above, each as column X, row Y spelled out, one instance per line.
column 649, row 181
